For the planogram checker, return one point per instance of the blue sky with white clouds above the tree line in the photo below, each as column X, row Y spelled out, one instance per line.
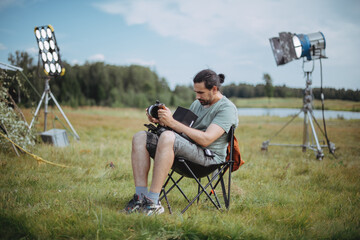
column 178, row 38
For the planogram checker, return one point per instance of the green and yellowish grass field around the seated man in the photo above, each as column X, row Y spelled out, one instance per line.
column 280, row 194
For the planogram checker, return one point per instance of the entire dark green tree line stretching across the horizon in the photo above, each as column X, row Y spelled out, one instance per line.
column 103, row 84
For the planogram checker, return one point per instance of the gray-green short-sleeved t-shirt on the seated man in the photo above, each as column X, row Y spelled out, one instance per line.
column 224, row 114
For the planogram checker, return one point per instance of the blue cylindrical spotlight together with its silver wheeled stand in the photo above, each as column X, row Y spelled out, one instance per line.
column 286, row 48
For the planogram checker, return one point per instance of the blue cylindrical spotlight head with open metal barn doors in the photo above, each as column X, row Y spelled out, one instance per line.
column 290, row 46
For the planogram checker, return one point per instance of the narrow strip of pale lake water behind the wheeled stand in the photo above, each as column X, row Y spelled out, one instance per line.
column 284, row 112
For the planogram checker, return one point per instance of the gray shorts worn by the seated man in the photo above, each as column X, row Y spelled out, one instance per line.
column 183, row 148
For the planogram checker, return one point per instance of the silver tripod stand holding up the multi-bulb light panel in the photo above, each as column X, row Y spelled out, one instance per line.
column 47, row 95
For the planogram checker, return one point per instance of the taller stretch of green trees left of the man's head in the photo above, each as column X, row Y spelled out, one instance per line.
column 97, row 84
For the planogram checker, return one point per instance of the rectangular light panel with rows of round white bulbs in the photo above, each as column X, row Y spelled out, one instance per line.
column 49, row 50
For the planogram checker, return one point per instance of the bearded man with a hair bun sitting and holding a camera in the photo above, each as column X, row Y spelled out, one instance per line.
column 216, row 114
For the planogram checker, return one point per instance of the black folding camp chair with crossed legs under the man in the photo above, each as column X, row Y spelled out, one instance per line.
column 214, row 174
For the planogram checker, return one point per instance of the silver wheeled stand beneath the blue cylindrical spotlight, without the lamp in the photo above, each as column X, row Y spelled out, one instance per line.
column 309, row 118
